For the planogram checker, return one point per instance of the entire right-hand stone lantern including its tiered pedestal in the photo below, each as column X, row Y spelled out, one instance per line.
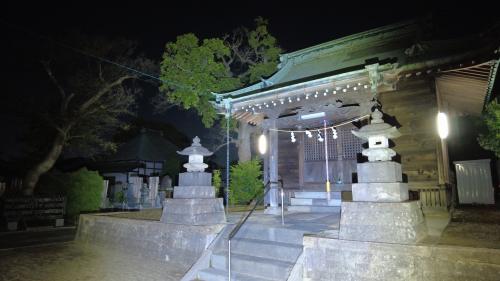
column 380, row 211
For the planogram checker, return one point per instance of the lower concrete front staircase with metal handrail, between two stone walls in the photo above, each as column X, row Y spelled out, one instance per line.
column 259, row 252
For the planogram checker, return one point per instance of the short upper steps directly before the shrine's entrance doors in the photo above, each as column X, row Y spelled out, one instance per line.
column 315, row 201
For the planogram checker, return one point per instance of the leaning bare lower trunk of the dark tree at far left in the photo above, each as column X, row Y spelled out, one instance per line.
column 31, row 178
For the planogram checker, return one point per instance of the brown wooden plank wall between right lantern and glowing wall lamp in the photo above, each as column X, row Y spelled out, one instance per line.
column 414, row 107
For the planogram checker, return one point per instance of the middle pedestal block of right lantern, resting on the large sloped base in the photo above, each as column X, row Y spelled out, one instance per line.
column 380, row 192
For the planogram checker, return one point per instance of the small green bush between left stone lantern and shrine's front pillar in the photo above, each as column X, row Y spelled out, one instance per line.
column 246, row 182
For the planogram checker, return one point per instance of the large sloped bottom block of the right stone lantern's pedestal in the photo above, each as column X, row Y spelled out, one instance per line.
column 382, row 222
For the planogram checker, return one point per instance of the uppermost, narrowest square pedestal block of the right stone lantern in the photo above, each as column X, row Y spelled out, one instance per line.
column 381, row 171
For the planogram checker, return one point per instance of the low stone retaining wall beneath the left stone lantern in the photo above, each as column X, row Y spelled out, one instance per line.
column 181, row 244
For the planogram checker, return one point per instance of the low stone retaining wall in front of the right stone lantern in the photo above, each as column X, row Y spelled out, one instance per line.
column 334, row 259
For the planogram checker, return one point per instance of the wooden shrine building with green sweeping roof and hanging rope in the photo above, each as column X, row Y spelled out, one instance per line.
column 412, row 77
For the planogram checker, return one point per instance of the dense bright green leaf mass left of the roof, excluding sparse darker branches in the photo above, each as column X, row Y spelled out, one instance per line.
column 192, row 71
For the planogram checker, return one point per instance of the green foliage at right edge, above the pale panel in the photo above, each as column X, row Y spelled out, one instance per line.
column 491, row 118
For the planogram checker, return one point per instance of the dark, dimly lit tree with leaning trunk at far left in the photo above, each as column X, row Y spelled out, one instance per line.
column 86, row 104
